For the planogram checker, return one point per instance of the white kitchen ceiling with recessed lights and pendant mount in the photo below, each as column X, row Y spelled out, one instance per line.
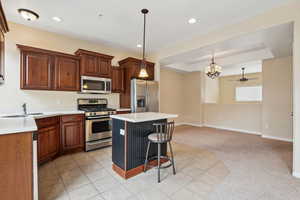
column 121, row 23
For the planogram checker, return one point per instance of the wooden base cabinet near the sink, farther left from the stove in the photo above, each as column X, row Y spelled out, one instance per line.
column 48, row 138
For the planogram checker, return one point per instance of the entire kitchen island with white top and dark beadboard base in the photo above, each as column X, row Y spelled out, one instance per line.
column 129, row 141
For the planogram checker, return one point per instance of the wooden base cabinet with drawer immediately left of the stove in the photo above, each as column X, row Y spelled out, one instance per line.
column 72, row 133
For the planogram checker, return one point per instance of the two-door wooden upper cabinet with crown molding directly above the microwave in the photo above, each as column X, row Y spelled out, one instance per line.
column 94, row 64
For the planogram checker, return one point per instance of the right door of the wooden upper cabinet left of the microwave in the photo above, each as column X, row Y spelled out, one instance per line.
column 67, row 76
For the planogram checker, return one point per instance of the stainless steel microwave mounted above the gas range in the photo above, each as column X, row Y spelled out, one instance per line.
column 95, row 85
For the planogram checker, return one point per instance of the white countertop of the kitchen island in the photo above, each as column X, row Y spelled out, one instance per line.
column 143, row 117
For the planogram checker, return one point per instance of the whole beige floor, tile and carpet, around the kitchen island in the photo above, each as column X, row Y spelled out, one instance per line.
column 214, row 165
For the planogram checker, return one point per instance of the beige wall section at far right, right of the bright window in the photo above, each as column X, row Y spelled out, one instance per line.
column 277, row 98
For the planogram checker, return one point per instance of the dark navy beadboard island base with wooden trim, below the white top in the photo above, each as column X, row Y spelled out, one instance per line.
column 129, row 149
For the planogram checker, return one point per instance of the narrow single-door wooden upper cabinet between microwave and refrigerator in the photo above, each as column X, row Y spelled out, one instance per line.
column 117, row 79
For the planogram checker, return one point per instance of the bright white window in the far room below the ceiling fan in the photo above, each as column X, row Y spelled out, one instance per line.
column 249, row 93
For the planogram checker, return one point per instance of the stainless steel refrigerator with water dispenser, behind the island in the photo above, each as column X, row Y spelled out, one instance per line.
column 144, row 96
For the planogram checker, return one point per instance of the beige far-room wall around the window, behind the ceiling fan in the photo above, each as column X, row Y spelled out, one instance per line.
column 227, row 87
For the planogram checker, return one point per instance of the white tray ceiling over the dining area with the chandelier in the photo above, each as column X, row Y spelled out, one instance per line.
column 265, row 44
